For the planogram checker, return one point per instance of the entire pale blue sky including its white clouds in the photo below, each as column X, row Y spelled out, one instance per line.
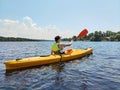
column 44, row 19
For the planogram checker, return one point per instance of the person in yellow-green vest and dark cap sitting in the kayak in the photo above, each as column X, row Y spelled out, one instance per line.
column 57, row 48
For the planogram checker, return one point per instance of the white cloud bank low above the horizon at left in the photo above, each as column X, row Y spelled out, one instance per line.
column 29, row 29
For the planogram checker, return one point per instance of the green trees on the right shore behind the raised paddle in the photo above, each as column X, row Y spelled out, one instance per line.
column 99, row 36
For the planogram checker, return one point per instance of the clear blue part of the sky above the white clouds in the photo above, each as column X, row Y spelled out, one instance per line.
column 67, row 15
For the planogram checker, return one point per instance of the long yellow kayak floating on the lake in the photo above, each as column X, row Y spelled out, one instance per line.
column 42, row 60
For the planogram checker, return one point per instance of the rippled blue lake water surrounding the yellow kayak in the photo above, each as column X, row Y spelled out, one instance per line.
column 100, row 71
